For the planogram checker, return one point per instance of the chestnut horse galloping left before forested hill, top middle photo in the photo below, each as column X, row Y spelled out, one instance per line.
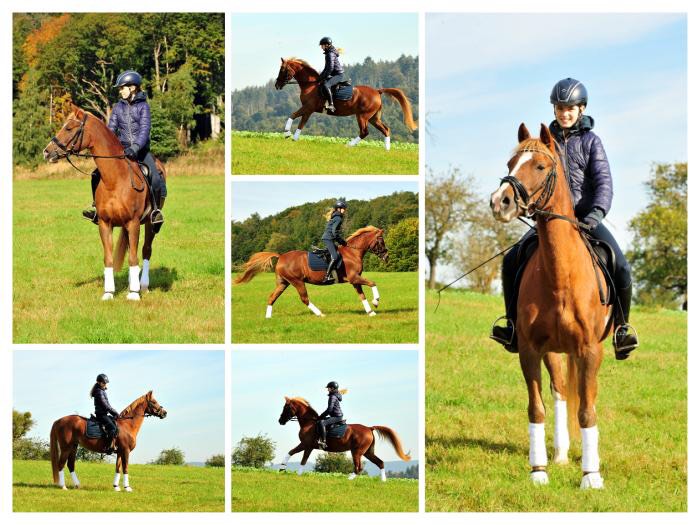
column 365, row 104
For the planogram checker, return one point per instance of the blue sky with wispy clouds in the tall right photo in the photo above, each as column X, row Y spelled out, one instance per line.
column 486, row 73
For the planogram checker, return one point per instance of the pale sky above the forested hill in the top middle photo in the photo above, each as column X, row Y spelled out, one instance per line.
column 260, row 40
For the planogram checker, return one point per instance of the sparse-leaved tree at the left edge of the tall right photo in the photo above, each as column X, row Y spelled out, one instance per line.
column 448, row 204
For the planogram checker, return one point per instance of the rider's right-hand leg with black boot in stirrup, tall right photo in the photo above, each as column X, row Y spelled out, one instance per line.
column 624, row 336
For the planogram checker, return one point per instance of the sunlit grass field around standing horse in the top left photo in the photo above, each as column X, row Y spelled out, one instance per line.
column 58, row 265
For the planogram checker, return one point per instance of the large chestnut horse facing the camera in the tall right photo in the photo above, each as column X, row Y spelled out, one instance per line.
column 559, row 306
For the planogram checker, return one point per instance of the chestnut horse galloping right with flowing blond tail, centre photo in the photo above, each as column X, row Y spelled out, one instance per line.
column 293, row 268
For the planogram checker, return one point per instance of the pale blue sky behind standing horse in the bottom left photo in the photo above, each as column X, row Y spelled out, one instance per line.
column 189, row 384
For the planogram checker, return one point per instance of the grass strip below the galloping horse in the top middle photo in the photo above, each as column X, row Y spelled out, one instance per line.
column 272, row 154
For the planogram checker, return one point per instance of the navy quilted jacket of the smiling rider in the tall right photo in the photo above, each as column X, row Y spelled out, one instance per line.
column 587, row 168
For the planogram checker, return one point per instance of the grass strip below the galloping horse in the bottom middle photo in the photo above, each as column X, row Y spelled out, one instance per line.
column 269, row 491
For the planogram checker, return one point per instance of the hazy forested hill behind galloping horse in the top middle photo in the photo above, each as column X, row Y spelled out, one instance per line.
column 263, row 108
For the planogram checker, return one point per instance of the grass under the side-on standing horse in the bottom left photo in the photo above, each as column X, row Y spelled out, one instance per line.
column 156, row 488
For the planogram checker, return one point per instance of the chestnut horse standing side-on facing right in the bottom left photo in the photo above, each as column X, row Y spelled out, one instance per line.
column 69, row 432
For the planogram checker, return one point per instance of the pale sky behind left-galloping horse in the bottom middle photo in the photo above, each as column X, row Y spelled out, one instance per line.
column 383, row 390
